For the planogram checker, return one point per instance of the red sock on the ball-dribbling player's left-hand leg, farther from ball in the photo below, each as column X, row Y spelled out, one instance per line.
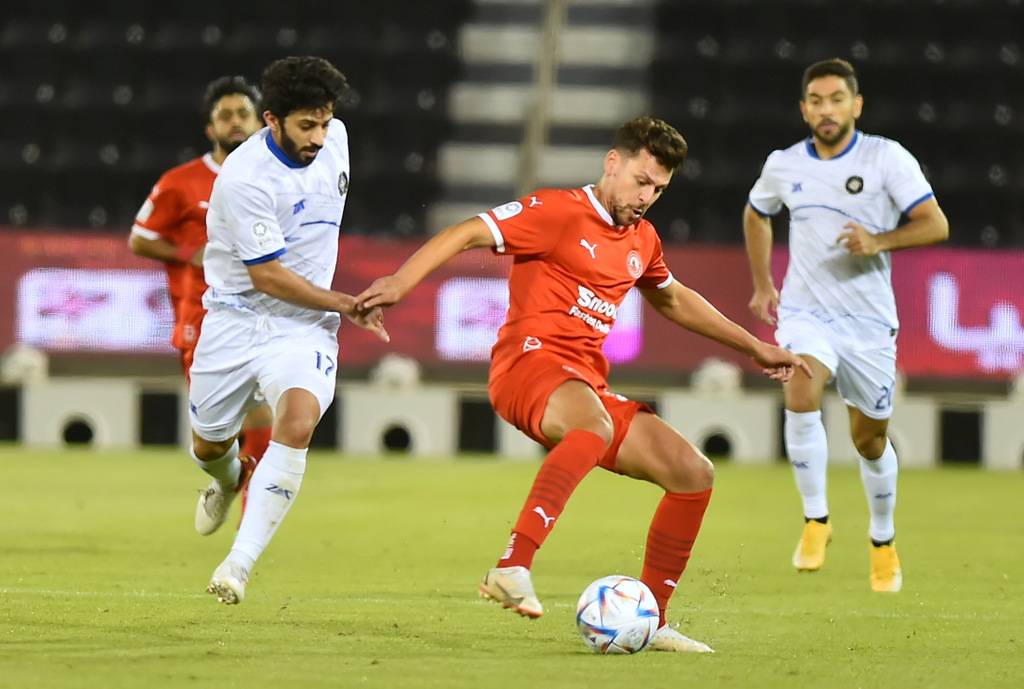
column 561, row 473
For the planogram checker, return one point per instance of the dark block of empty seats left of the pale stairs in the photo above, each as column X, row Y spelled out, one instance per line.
column 98, row 100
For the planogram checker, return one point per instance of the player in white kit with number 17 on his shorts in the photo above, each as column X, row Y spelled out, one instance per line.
column 272, row 326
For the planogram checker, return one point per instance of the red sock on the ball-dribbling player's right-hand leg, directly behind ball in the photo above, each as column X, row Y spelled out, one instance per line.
column 670, row 541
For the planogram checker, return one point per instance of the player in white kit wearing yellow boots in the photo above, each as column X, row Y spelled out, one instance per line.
column 846, row 192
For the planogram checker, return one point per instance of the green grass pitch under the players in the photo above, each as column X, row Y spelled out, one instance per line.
column 372, row 581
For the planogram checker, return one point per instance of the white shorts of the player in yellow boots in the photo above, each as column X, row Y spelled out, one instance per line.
column 865, row 379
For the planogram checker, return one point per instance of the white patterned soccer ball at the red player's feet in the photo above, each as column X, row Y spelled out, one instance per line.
column 617, row 615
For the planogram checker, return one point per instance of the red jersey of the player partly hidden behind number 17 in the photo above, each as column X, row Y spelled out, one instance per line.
column 176, row 210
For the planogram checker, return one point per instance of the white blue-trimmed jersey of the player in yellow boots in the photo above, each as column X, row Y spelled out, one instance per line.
column 872, row 183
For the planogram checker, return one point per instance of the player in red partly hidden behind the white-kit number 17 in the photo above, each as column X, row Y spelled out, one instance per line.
column 172, row 228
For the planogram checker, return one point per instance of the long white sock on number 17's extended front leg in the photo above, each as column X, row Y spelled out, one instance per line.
column 273, row 489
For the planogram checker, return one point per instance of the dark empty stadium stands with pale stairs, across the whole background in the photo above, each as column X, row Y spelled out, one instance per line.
column 78, row 78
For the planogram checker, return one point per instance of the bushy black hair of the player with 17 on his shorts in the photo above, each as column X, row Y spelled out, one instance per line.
column 302, row 83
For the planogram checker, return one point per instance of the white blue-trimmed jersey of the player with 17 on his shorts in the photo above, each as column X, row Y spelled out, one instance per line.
column 265, row 206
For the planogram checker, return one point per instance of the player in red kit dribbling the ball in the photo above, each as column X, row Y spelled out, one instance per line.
column 577, row 254
